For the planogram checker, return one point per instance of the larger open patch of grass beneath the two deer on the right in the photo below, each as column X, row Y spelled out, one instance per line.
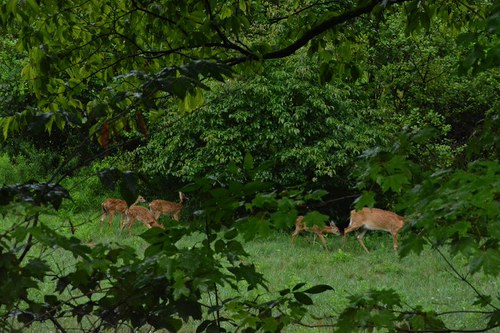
column 421, row 280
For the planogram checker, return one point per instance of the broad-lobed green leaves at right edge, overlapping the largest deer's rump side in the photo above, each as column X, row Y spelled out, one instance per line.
column 453, row 207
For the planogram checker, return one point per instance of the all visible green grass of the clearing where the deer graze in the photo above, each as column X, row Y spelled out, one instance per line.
column 423, row 280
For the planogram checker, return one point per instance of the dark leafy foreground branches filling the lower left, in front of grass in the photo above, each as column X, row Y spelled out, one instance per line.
column 111, row 285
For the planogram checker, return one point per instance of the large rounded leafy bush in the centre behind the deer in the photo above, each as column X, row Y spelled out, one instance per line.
column 308, row 132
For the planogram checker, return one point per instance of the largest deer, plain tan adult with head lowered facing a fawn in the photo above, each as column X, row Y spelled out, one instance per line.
column 374, row 219
